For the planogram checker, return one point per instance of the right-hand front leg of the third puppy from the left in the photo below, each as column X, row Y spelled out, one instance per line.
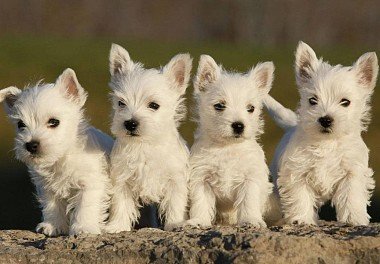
column 249, row 204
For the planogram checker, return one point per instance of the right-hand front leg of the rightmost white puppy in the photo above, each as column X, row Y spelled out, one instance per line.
column 352, row 196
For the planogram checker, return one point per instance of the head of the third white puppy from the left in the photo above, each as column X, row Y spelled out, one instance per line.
column 229, row 104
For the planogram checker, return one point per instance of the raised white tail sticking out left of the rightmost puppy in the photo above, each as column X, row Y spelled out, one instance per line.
column 284, row 117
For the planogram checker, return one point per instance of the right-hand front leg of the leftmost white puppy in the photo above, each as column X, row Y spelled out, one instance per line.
column 89, row 209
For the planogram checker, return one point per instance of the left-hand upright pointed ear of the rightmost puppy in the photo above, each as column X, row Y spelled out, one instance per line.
column 306, row 62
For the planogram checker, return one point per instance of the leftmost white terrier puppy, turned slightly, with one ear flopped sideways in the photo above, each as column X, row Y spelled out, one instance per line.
column 66, row 157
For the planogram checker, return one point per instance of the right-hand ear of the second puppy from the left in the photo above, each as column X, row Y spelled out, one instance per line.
column 178, row 71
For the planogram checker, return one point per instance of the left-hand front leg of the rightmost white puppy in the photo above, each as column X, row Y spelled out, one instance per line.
column 297, row 200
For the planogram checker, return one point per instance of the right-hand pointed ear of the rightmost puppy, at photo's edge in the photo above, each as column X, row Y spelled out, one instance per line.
column 366, row 69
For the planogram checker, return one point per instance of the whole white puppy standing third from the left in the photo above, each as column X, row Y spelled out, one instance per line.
column 229, row 176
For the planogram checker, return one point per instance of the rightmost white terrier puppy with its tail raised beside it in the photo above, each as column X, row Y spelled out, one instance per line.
column 322, row 155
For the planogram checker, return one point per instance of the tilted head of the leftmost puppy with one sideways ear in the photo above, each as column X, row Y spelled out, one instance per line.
column 47, row 118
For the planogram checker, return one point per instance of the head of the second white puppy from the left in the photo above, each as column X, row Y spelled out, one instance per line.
column 147, row 103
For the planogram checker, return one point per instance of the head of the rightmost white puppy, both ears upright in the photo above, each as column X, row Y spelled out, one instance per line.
column 334, row 99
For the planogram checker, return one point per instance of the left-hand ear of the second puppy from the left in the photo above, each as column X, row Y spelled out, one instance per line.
column 120, row 61
